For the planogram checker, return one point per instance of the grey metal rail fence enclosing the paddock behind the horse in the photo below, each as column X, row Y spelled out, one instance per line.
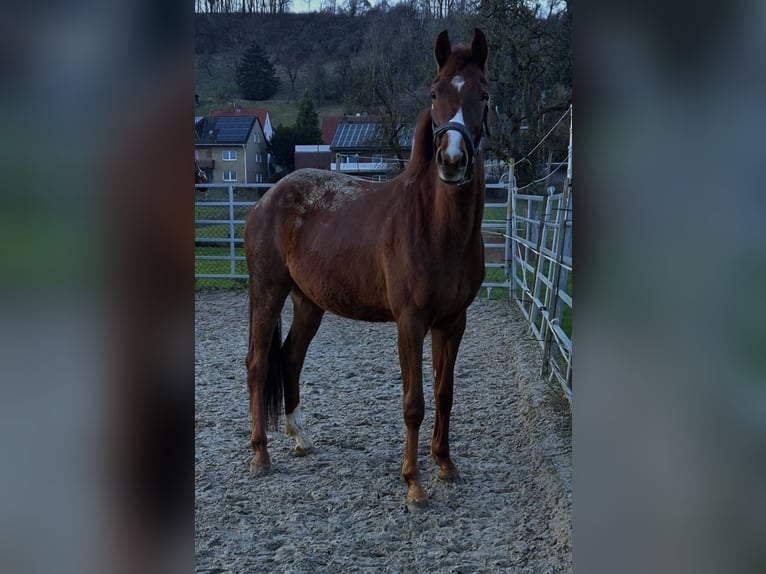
column 528, row 256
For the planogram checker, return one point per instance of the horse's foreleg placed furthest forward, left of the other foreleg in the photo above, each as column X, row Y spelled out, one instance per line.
column 410, row 341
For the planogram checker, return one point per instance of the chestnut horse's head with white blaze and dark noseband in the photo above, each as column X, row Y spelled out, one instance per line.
column 459, row 106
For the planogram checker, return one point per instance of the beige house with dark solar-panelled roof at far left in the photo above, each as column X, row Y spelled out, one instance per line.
column 232, row 148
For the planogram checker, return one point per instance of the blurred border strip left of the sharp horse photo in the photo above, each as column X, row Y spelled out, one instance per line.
column 98, row 294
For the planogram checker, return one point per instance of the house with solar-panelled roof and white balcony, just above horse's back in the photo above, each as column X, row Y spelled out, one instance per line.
column 359, row 148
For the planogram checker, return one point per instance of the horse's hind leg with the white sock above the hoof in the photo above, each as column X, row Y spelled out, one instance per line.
column 306, row 320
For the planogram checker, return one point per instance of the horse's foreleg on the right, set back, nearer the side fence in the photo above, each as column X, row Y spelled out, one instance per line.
column 445, row 341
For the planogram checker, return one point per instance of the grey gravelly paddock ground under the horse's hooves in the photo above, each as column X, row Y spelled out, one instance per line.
column 341, row 508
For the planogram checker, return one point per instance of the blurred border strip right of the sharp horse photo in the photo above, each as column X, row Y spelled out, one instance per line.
column 669, row 392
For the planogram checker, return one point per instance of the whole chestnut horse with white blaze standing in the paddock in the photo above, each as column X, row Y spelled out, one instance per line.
column 408, row 250
